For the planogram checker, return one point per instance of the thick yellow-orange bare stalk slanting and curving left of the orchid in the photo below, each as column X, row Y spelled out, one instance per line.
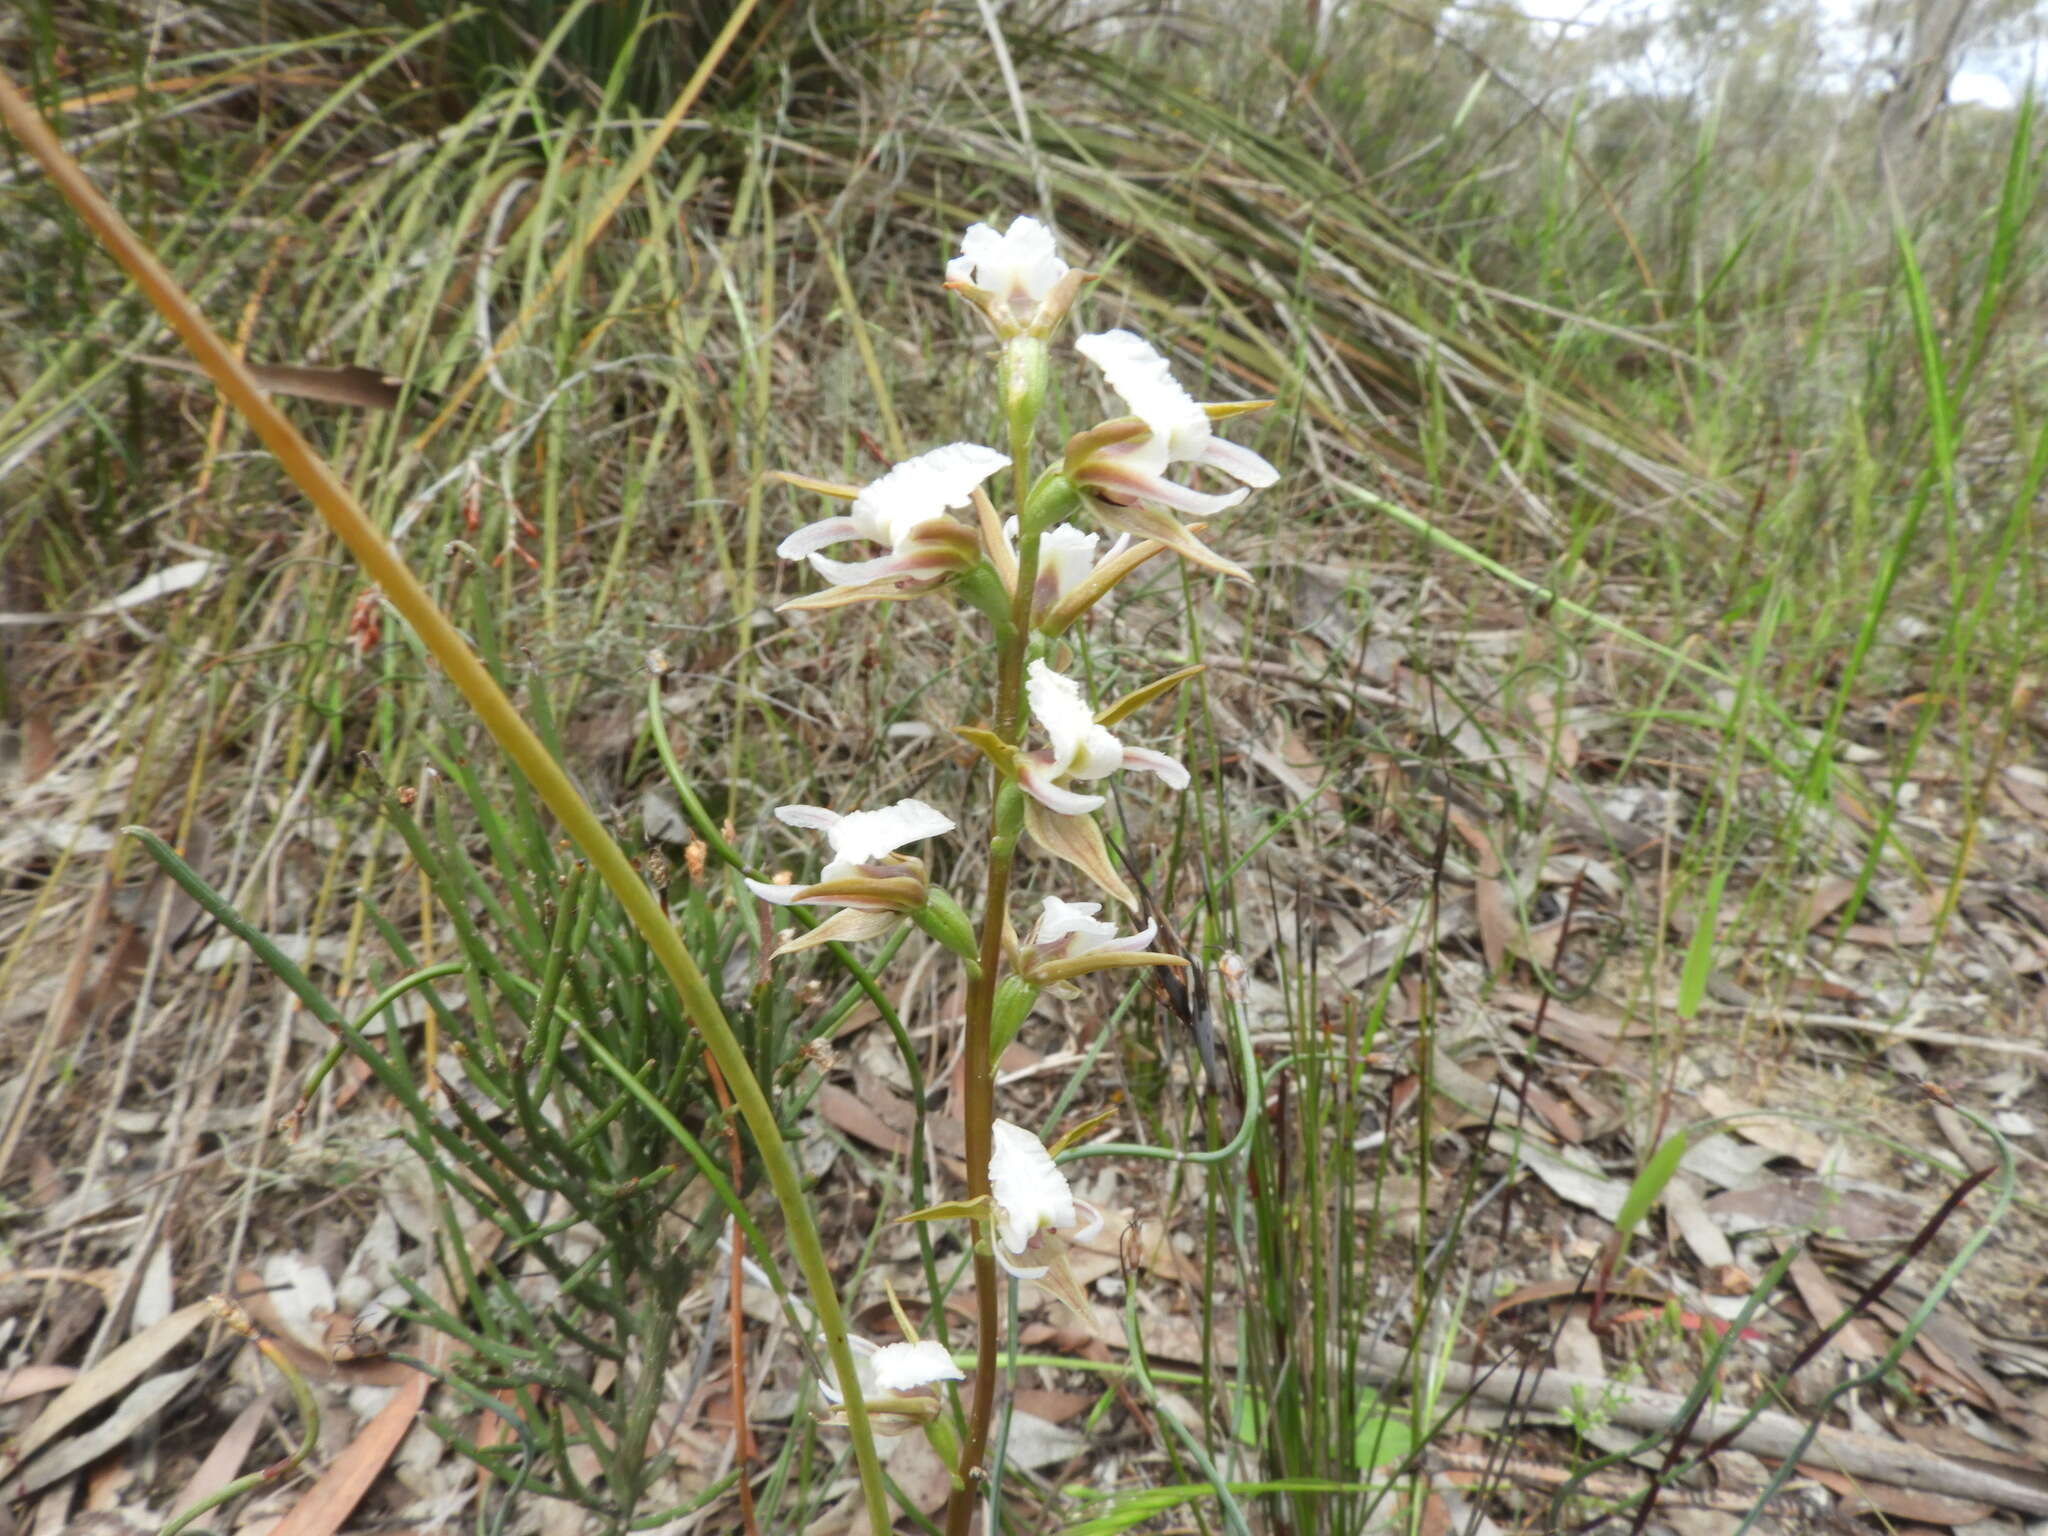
column 515, row 738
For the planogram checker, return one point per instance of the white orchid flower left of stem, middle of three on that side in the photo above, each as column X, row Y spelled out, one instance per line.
column 867, row 878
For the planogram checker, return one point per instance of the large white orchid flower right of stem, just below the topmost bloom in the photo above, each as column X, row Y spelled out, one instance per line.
column 1121, row 466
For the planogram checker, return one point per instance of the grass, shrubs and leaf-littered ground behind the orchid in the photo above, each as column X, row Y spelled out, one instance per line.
column 1637, row 722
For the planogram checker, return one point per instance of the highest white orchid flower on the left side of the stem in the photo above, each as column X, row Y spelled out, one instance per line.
column 906, row 511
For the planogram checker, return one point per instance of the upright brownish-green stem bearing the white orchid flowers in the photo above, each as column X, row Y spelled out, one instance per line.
column 1015, row 650
